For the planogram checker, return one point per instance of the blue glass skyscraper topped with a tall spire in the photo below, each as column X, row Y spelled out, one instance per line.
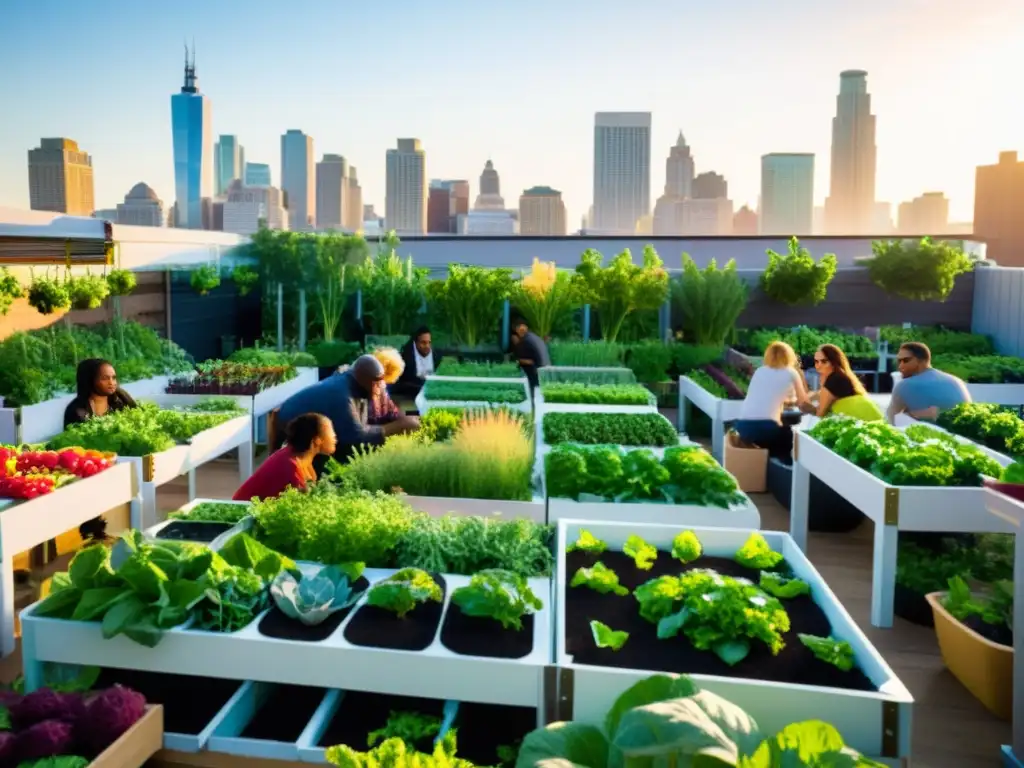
column 193, row 136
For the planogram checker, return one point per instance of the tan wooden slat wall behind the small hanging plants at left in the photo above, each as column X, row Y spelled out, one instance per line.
column 148, row 306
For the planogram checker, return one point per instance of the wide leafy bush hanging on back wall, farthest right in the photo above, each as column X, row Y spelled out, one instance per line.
column 922, row 272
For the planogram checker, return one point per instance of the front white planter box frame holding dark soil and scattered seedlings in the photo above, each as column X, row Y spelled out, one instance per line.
column 862, row 717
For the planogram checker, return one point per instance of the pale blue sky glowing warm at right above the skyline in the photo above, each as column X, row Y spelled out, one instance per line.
column 518, row 83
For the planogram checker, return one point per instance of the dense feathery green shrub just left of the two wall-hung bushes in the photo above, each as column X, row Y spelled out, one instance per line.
column 709, row 302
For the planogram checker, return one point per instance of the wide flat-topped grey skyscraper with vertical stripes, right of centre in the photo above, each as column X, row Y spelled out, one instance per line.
column 622, row 170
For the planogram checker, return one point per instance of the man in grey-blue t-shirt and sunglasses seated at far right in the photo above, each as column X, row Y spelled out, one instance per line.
column 924, row 393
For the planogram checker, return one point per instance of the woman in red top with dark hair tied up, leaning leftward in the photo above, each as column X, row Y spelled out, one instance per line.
column 307, row 438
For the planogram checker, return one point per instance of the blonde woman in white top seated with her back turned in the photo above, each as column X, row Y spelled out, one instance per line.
column 778, row 382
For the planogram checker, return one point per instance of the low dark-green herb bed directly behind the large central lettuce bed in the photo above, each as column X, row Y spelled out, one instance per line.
column 614, row 430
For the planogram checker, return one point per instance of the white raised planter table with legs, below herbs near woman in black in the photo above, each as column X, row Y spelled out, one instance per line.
column 159, row 470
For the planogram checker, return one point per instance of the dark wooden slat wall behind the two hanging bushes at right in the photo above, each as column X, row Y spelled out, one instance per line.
column 854, row 302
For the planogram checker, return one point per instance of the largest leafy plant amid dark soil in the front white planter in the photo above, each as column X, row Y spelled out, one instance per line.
column 717, row 613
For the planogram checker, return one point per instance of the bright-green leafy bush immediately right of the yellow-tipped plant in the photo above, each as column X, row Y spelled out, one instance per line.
column 622, row 287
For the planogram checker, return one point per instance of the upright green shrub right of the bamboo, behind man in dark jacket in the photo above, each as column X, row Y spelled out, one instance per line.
column 393, row 289
